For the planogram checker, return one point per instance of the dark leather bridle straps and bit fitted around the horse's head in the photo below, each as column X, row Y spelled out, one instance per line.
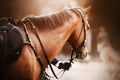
column 81, row 47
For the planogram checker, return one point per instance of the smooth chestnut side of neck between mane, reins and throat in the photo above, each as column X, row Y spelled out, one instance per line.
column 54, row 39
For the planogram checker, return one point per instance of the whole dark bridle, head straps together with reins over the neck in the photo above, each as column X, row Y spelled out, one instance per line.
column 61, row 65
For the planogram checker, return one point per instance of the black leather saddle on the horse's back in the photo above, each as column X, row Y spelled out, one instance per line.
column 11, row 41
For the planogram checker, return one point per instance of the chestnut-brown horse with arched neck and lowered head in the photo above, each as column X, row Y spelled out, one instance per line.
column 46, row 34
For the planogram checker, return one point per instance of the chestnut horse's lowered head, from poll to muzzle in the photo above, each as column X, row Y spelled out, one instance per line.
column 78, row 37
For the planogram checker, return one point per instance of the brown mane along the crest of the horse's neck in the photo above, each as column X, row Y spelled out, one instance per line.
column 53, row 20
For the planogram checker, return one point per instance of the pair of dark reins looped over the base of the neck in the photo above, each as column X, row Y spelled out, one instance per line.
column 35, row 52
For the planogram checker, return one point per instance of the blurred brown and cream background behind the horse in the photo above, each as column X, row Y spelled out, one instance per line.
column 103, row 40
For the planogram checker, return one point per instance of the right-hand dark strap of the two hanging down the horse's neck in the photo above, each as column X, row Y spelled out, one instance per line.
column 43, row 49
